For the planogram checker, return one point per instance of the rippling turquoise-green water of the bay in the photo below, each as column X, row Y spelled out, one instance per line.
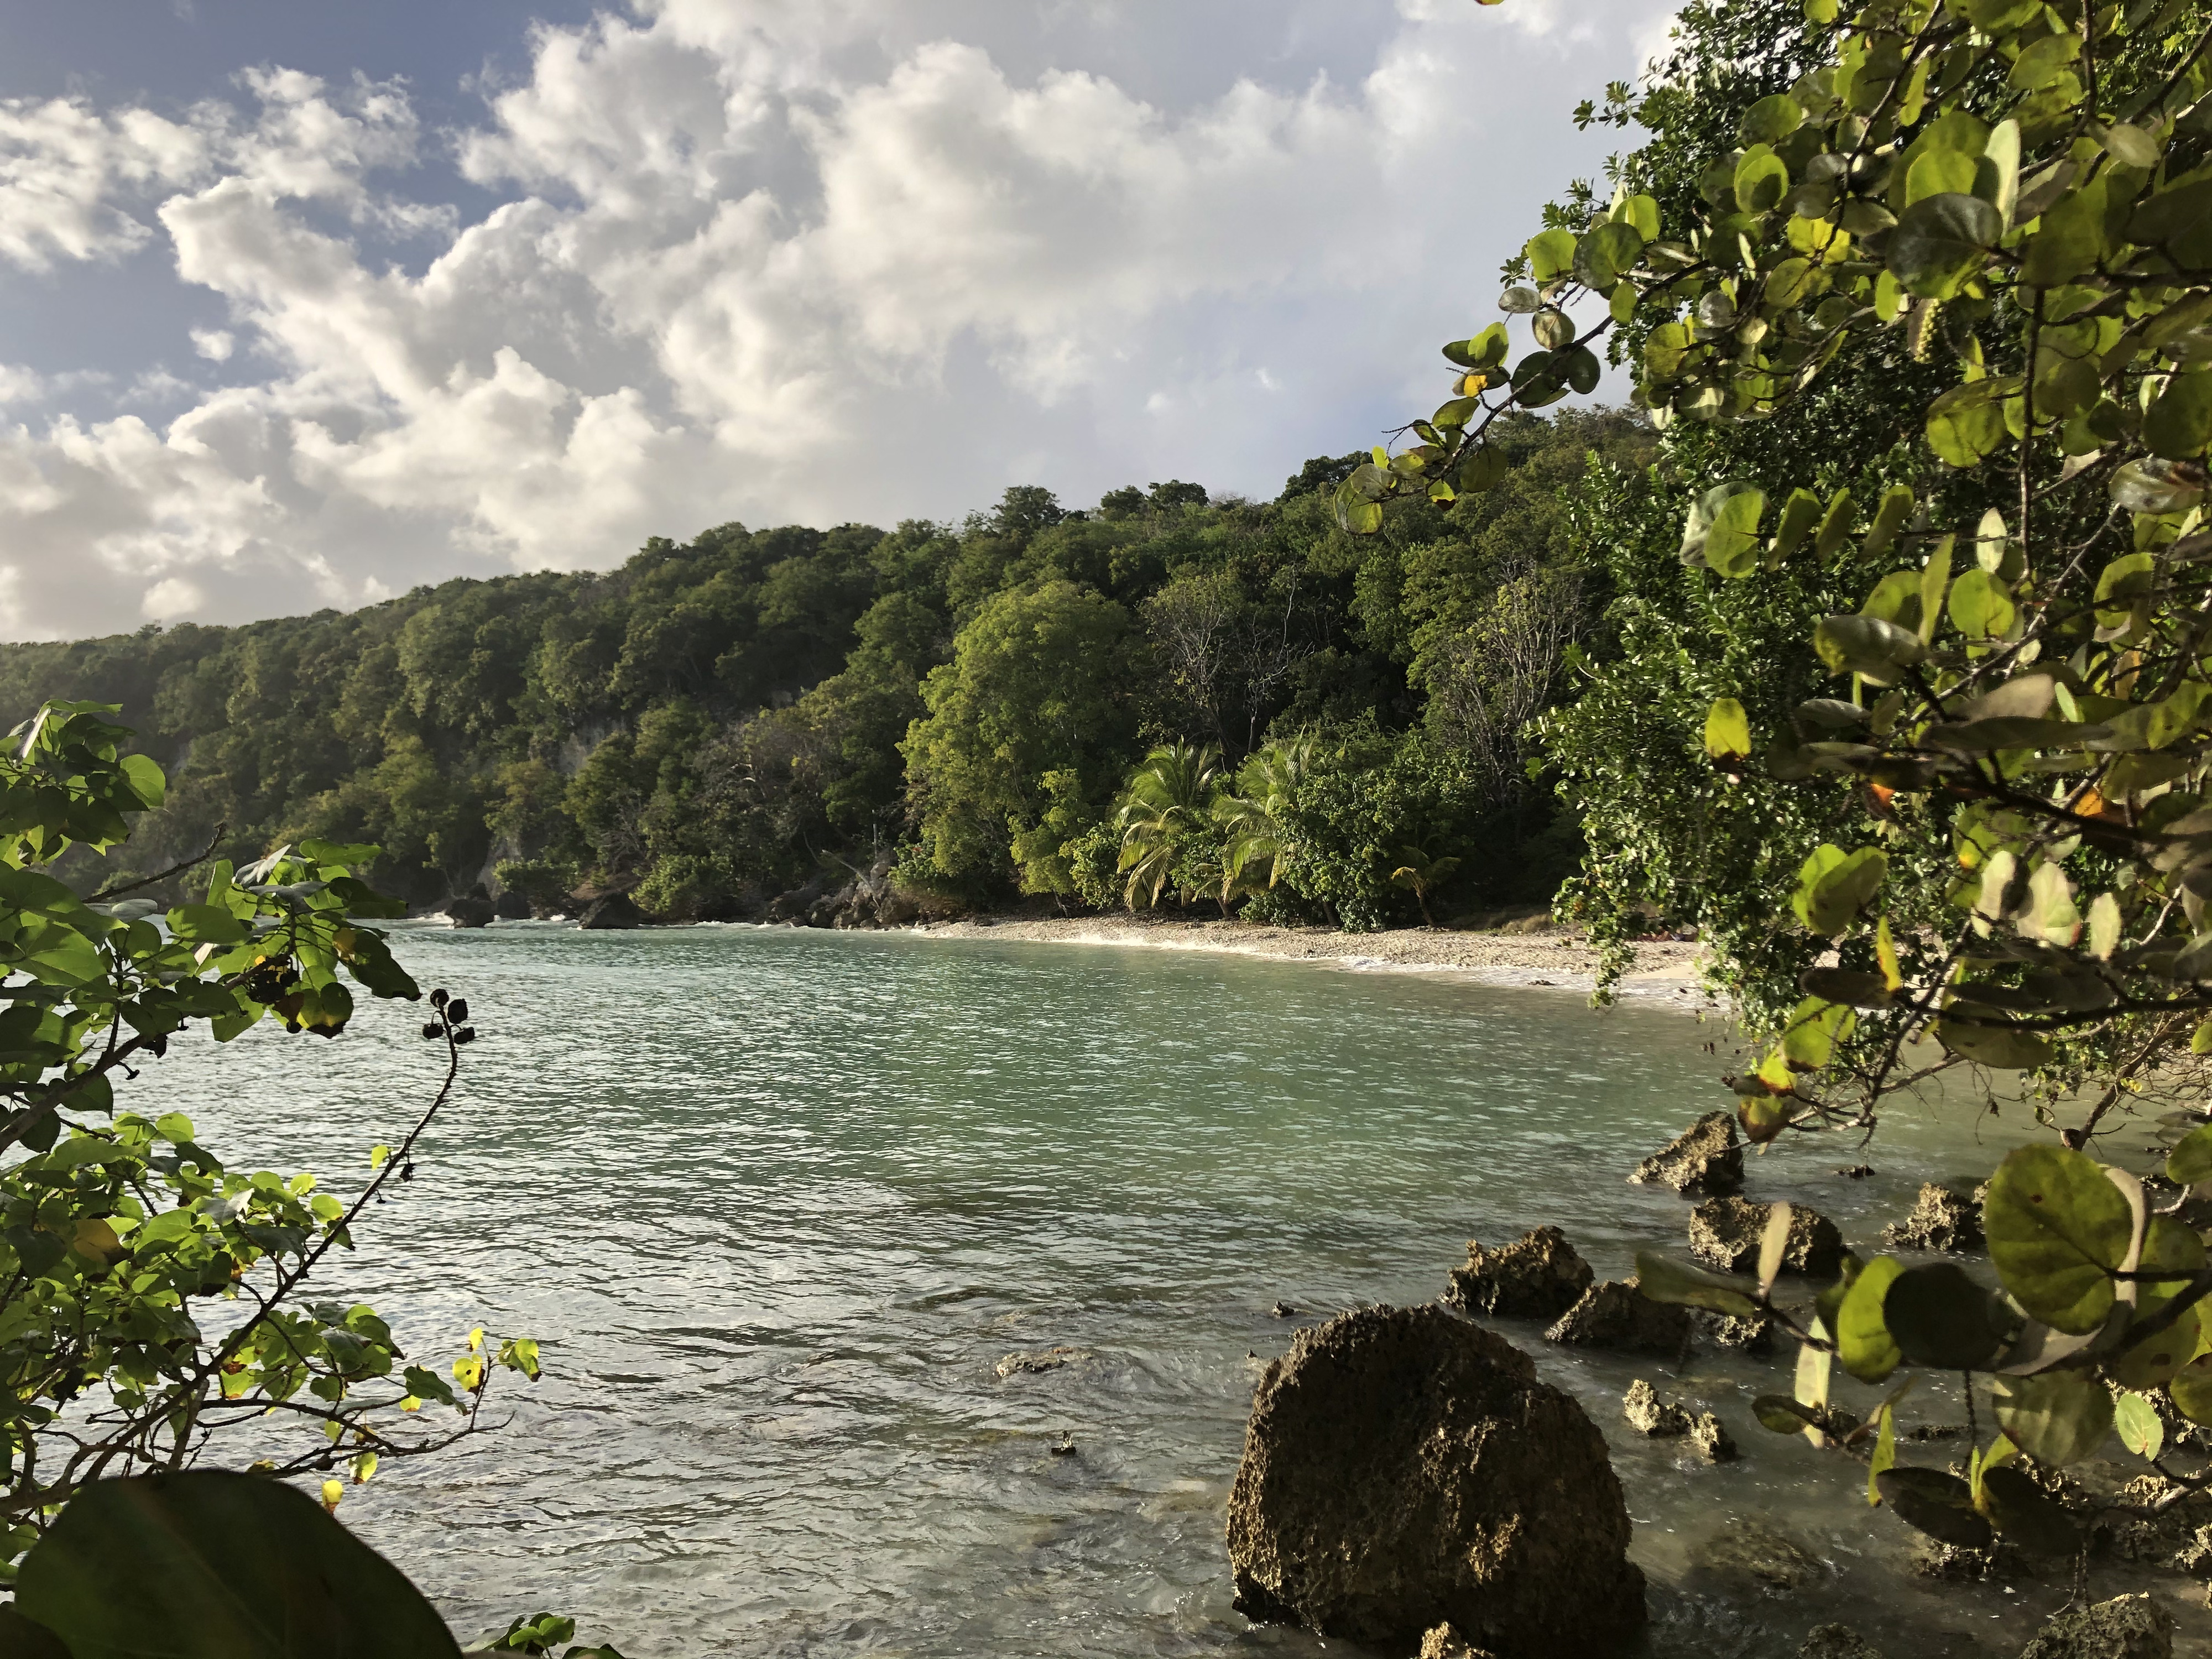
column 778, row 1204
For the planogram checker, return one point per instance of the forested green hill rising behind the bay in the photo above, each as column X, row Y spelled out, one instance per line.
column 733, row 718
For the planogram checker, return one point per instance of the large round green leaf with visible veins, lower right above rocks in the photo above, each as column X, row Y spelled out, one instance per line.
column 2058, row 1231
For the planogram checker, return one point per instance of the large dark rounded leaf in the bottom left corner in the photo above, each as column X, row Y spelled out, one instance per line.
column 220, row 1567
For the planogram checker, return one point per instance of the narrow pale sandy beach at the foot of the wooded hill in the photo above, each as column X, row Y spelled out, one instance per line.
column 1667, row 970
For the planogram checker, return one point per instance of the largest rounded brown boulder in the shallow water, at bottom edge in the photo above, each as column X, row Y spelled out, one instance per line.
column 1408, row 1470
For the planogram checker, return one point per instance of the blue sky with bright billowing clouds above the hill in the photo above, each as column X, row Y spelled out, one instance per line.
column 311, row 304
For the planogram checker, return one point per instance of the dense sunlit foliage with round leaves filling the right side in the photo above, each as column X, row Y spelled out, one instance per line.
column 1910, row 682
